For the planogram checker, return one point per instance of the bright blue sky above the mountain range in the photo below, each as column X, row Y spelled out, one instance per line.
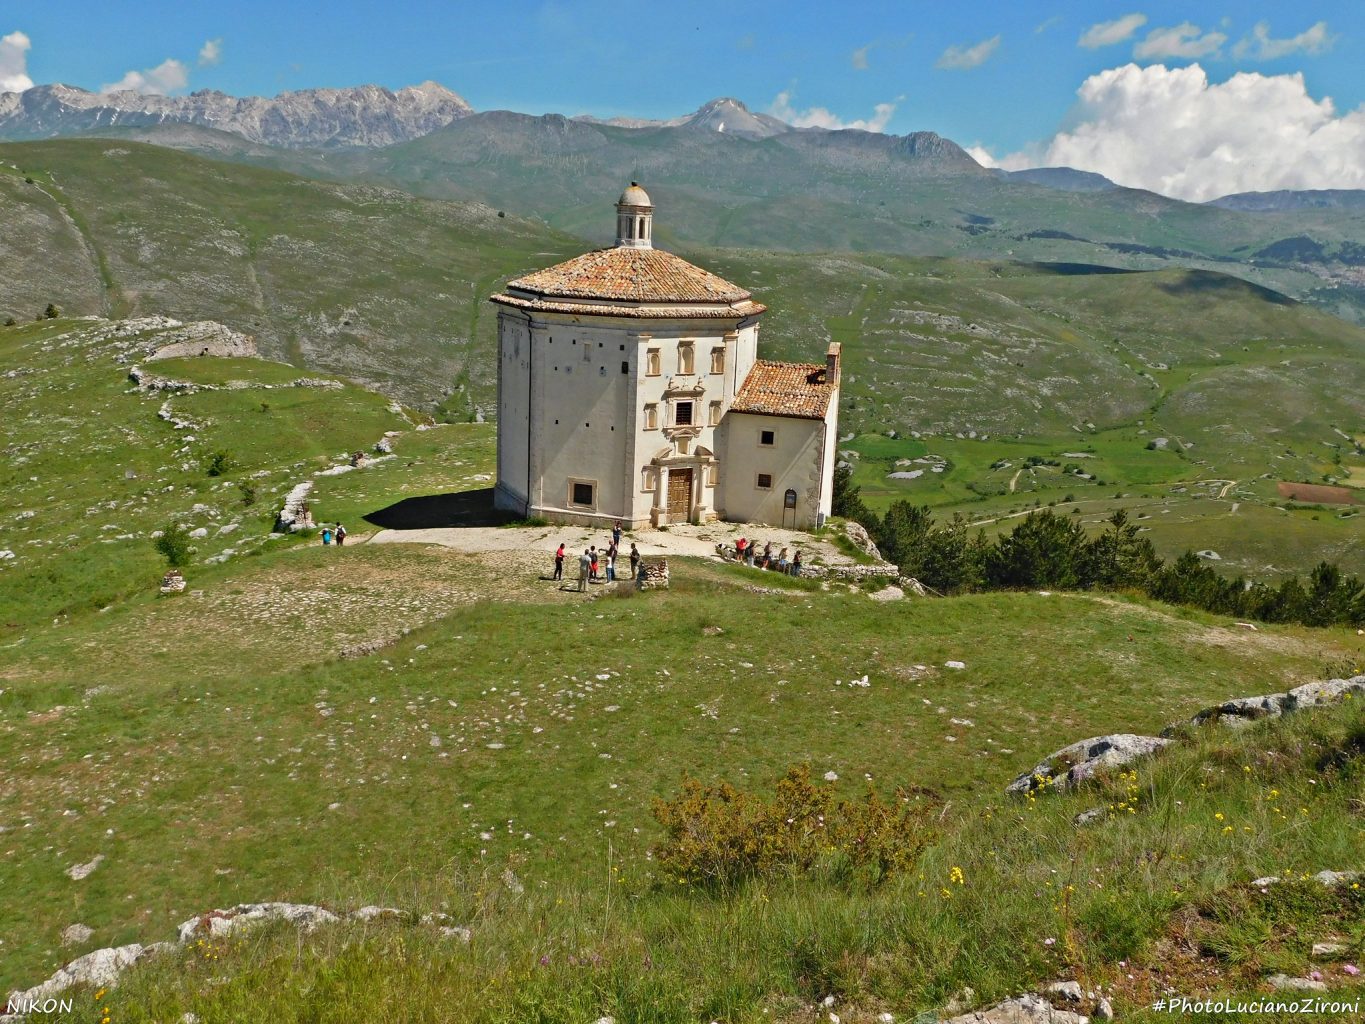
column 1001, row 76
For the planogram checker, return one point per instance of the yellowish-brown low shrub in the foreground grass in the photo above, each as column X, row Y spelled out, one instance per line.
column 719, row 836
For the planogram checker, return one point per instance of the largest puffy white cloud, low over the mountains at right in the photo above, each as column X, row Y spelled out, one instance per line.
column 1173, row 132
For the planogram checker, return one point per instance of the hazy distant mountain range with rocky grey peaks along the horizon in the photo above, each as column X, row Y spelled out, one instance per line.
column 725, row 175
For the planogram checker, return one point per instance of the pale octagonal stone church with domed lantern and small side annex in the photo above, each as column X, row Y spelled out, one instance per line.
column 630, row 388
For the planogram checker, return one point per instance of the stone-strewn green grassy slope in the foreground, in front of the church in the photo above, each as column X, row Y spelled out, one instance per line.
column 416, row 727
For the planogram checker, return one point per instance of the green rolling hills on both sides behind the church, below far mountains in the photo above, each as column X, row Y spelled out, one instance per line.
column 975, row 365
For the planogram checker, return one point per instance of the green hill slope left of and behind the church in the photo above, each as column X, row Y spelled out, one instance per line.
column 347, row 279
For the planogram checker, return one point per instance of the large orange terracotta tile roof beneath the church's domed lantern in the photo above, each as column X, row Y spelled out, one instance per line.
column 630, row 275
